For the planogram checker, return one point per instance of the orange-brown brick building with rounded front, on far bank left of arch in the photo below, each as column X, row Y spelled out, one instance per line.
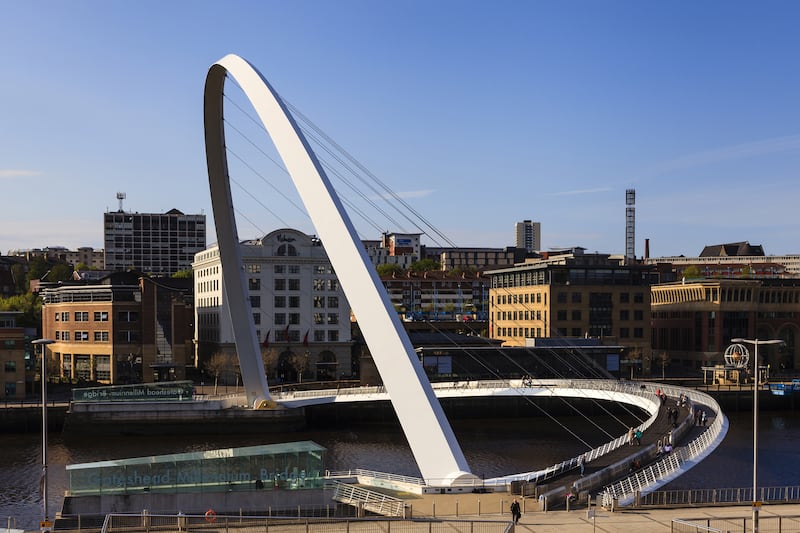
column 126, row 328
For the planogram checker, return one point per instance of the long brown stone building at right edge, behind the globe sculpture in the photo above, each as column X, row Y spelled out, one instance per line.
column 694, row 320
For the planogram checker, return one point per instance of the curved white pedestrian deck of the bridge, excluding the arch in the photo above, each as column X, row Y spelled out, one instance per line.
column 607, row 467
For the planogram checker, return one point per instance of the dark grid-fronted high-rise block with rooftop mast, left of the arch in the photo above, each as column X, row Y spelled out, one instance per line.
column 153, row 243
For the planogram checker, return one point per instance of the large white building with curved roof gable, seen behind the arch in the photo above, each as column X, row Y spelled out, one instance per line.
column 300, row 312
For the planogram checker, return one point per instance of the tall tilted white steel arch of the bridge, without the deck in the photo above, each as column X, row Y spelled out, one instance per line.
column 430, row 437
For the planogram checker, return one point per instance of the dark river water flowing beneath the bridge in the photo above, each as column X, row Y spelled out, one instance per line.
column 491, row 447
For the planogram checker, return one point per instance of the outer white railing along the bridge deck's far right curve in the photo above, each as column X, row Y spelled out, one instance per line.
column 659, row 473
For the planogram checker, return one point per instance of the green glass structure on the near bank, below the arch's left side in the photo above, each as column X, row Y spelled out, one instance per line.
column 291, row 466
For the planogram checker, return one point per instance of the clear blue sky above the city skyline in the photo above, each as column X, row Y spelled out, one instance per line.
column 479, row 114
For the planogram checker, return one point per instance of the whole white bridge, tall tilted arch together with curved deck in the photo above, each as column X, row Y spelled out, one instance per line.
column 414, row 399
